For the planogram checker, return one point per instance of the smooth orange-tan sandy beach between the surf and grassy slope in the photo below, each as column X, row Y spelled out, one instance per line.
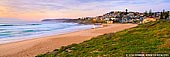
column 30, row 48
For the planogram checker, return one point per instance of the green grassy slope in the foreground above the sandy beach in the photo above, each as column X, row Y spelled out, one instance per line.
column 145, row 38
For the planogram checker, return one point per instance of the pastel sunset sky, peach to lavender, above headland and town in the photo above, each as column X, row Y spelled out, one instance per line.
column 43, row 9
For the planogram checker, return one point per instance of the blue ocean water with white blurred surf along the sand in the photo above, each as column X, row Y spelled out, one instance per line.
column 11, row 32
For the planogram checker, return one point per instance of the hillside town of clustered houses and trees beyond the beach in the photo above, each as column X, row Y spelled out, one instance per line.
column 126, row 17
